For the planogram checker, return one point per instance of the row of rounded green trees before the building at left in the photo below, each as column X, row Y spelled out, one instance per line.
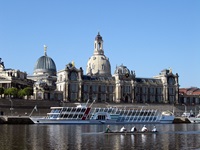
column 16, row 93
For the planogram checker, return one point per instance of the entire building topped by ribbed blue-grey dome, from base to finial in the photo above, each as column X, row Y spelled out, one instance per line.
column 45, row 78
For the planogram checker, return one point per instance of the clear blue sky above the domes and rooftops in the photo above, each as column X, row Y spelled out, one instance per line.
column 147, row 36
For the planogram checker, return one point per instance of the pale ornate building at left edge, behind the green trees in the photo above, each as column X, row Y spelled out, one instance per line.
column 13, row 78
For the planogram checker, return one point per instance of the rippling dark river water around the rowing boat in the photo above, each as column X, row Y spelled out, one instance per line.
column 91, row 137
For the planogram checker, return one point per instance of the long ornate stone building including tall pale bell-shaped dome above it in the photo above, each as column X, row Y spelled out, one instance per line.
column 122, row 86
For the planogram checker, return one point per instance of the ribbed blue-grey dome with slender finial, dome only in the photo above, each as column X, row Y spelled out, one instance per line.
column 45, row 65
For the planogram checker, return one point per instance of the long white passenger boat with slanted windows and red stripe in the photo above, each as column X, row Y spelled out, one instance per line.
column 84, row 114
